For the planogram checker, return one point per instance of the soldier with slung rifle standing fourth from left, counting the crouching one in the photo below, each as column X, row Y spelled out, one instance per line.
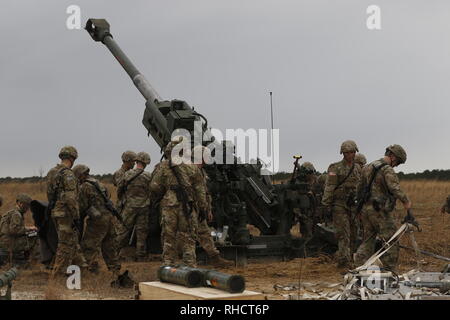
column 135, row 187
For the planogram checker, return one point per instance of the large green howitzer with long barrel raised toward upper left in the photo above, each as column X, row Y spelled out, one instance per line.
column 240, row 194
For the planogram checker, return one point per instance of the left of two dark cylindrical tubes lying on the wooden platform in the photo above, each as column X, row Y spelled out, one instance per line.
column 184, row 276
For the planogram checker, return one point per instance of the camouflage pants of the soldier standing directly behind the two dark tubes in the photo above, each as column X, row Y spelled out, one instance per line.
column 175, row 226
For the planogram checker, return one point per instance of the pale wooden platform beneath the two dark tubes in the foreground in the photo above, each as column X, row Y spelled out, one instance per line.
column 156, row 290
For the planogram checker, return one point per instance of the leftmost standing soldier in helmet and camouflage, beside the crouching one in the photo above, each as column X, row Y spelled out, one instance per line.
column 62, row 194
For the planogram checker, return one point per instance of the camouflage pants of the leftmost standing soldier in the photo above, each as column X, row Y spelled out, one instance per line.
column 68, row 251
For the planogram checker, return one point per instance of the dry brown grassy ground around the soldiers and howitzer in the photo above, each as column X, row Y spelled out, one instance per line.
column 275, row 279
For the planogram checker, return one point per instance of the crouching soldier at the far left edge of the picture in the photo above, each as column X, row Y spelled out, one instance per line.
column 14, row 242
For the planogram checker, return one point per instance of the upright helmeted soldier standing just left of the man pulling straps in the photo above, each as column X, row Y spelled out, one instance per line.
column 339, row 198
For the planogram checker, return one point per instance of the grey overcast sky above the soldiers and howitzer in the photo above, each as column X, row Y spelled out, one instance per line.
column 332, row 78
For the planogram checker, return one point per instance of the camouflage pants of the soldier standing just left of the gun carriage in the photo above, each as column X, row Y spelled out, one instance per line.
column 137, row 219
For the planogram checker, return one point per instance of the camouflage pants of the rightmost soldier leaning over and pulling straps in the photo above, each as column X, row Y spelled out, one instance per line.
column 377, row 224
